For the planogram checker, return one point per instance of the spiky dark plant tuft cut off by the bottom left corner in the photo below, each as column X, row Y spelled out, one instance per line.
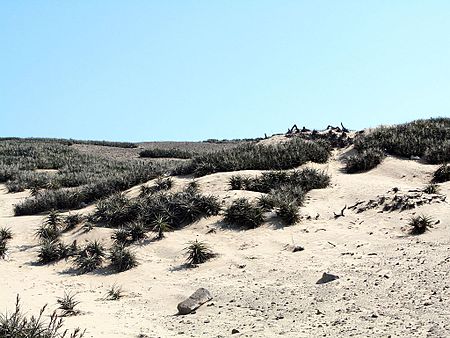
column 17, row 325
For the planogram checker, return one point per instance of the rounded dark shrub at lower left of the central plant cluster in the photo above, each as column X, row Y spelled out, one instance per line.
column 243, row 214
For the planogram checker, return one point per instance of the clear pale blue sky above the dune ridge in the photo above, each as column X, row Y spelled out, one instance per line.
column 192, row 70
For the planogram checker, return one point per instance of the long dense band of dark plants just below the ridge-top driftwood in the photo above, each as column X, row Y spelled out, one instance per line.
column 287, row 155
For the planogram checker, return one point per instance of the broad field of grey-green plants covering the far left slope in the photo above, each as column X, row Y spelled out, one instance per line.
column 77, row 179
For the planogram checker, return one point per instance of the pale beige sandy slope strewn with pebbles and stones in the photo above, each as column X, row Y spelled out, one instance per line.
column 391, row 284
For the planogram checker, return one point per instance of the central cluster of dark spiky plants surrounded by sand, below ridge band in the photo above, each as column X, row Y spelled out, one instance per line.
column 285, row 193
